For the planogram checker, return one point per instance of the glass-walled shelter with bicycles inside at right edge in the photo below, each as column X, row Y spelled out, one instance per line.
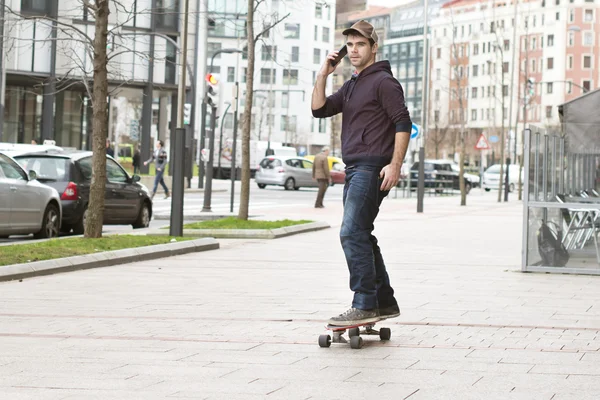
column 561, row 219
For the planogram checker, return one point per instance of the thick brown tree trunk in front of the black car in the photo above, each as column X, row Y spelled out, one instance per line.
column 95, row 213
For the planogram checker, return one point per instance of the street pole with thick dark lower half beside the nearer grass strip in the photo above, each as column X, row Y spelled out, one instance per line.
column 176, row 223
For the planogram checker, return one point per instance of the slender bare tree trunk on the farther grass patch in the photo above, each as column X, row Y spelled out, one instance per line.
column 247, row 117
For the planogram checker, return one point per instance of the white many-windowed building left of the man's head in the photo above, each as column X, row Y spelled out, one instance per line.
column 287, row 59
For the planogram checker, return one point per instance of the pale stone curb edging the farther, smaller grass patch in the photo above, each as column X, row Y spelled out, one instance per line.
column 250, row 233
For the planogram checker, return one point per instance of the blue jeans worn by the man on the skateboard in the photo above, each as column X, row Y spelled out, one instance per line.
column 369, row 279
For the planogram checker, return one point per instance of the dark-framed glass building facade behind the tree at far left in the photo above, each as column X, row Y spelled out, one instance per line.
column 49, row 69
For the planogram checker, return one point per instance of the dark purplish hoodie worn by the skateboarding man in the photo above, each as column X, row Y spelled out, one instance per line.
column 373, row 110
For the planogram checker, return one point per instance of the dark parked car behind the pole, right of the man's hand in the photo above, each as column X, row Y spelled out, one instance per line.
column 439, row 174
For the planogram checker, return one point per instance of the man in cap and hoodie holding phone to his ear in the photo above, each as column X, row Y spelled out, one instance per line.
column 376, row 129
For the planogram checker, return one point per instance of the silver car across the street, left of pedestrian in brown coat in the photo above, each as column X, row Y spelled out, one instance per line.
column 290, row 172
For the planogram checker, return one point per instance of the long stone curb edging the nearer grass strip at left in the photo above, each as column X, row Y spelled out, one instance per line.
column 105, row 259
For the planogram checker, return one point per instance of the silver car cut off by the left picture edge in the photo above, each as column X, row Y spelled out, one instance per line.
column 26, row 205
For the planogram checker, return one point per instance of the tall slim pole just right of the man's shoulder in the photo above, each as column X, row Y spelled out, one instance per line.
column 425, row 85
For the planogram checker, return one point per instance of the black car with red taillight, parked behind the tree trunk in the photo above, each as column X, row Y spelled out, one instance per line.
column 126, row 200
